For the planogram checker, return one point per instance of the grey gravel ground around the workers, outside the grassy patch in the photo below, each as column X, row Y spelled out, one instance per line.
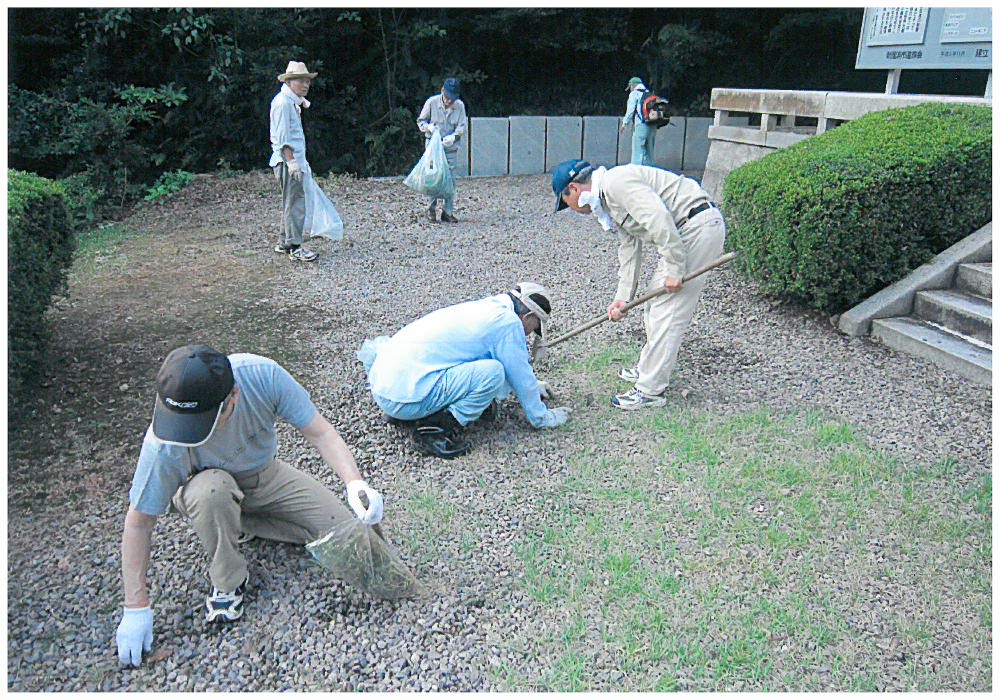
column 303, row 630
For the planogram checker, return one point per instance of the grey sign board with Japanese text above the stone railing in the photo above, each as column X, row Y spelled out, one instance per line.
column 926, row 37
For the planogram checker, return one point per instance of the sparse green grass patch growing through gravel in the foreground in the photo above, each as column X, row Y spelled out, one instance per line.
column 758, row 551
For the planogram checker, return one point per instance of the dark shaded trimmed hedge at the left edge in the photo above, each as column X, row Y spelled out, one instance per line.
column 40, row 245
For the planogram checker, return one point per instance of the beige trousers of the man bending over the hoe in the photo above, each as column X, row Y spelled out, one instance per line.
column 667, row 317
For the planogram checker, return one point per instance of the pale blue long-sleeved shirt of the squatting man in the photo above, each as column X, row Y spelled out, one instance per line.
column 409, row 363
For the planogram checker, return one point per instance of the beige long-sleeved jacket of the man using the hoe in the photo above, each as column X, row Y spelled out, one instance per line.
column 647, row 203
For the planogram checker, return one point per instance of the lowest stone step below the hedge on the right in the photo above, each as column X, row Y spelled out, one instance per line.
column 944, row 349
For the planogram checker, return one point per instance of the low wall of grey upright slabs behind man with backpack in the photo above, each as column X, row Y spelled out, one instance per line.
column 529, row 145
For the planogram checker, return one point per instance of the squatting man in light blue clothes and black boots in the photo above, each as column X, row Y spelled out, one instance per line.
column 447, row 369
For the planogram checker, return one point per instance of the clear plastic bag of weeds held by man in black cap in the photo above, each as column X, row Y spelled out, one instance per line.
column 359, row 554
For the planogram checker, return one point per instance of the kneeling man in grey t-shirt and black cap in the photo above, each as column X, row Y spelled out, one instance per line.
column 210, row 454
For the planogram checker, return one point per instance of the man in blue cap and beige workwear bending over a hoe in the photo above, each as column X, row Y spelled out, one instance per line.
column 670, row 213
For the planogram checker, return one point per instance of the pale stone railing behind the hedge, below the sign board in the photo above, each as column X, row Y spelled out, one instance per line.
column 786, row 117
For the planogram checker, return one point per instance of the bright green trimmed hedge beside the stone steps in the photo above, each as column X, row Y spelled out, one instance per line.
column 837, row 217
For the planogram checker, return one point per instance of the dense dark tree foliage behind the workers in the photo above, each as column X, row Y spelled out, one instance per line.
column 111, row 97
